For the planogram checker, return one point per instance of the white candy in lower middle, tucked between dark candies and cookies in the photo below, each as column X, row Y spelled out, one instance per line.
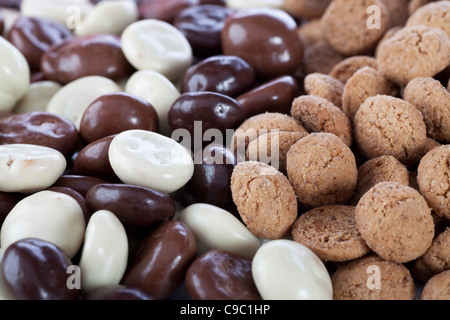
column 215, row 228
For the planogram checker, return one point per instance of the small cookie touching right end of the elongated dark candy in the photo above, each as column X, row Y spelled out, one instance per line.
column 325, row 86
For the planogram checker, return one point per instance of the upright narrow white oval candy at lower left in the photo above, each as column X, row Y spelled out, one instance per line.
column 104, row 255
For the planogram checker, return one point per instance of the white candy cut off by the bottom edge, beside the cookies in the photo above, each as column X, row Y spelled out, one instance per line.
column 287, row 270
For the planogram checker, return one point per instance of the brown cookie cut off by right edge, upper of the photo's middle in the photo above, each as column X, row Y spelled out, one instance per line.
column 433, row 100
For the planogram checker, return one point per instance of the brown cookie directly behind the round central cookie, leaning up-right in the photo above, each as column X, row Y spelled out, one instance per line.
column 319, row 115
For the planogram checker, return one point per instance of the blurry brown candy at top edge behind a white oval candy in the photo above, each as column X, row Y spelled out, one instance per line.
column 165, row 10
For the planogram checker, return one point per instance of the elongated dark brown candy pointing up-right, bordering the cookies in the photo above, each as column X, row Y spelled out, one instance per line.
column 273, row 96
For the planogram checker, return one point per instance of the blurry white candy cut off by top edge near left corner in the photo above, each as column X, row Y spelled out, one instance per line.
column 67, row 12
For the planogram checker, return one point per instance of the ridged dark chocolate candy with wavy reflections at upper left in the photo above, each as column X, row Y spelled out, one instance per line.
column 33, row 36
